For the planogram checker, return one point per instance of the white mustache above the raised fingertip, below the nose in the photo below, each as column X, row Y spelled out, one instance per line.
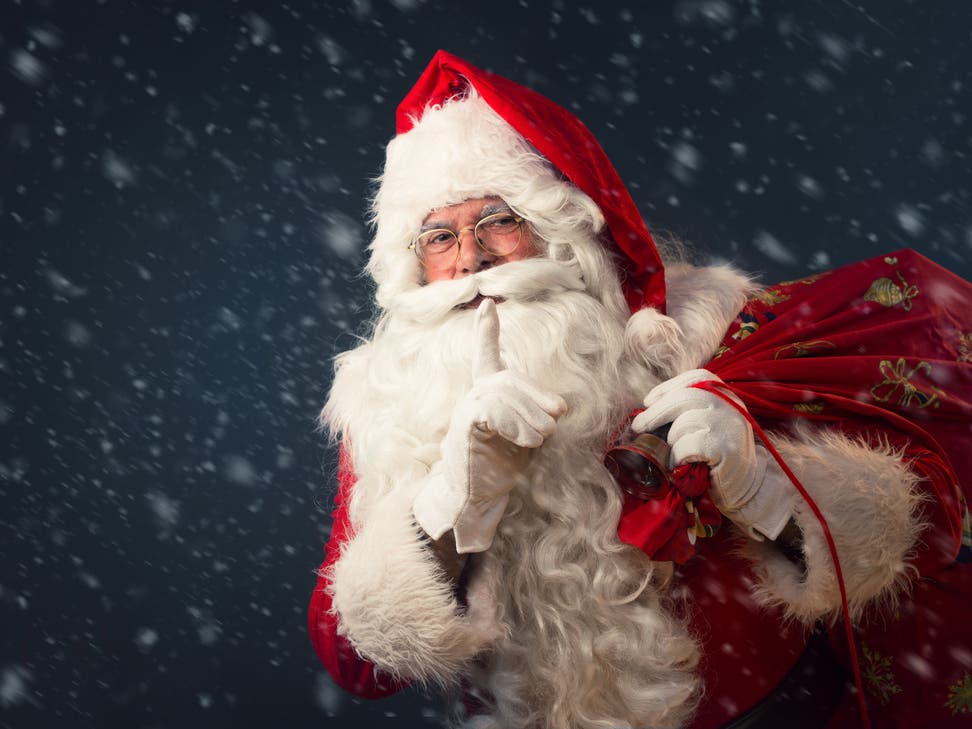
column 528, row 280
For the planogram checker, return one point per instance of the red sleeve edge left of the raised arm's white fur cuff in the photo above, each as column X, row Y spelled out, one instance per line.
column 348, row 669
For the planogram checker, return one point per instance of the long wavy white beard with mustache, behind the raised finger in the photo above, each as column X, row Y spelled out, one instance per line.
column 585, row 628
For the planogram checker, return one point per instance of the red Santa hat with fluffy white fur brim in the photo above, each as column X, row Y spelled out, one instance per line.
column 462, row 133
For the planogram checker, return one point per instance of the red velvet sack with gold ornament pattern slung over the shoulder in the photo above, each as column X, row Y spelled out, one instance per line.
column 882, row 347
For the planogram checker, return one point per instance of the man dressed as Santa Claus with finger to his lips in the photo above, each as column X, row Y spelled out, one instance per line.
column 523, row 314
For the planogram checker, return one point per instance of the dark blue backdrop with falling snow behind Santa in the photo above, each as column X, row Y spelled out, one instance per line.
column 181, row 231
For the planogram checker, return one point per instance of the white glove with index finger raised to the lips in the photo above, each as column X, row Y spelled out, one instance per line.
column 485, row 450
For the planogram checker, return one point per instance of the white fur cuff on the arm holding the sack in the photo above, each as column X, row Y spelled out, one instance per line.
column 870, row 501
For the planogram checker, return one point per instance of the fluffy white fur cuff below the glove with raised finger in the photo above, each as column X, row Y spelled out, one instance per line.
column 396, row 606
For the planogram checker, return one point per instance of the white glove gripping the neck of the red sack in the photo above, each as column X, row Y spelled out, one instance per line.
column 748, row 486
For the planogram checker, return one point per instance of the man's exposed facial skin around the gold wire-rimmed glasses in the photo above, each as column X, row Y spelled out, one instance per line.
column 472, row 258
